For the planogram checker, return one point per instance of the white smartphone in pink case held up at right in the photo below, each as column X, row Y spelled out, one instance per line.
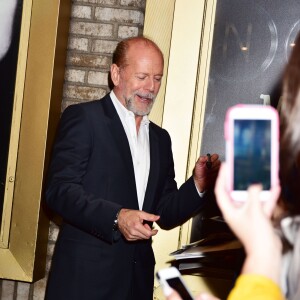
column 252, row 149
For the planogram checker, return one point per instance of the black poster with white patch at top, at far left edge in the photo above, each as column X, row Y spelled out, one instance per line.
column 10, row 23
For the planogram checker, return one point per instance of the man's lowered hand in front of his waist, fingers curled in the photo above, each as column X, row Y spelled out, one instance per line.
column 132, row 224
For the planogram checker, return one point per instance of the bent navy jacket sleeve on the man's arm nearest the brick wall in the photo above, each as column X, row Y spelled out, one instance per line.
column 65, row 193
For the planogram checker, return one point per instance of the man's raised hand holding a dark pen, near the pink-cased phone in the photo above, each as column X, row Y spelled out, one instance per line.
column 206, row 171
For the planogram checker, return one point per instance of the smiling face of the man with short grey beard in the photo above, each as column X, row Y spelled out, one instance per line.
column 139, row 82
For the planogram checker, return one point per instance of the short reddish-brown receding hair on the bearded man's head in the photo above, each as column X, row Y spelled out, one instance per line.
column 120, row 53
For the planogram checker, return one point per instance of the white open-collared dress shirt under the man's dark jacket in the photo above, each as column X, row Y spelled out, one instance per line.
column 139, row 146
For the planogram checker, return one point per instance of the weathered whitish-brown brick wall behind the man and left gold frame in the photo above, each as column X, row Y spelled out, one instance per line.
column 95, row 28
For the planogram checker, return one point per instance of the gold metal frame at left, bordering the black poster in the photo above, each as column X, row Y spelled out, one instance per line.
column 37, row 100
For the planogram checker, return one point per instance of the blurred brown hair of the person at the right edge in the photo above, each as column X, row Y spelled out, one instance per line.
column 290, row 132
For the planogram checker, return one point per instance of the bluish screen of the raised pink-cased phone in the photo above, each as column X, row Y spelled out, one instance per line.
column 252, row 153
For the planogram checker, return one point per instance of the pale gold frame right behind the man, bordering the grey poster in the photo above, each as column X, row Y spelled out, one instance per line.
column 184, row 31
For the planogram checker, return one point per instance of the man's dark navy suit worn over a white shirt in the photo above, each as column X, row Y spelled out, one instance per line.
column 91, row 177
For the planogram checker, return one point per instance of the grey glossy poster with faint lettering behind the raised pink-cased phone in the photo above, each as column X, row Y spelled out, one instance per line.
column 251, row 44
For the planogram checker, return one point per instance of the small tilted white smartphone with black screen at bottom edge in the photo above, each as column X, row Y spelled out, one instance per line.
column 171, row 277
